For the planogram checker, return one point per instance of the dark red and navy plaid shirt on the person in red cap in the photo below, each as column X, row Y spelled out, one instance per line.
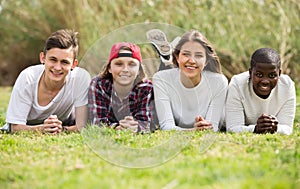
column 105, row 107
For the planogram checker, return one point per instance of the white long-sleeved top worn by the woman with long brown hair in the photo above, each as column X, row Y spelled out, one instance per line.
column 178, row 106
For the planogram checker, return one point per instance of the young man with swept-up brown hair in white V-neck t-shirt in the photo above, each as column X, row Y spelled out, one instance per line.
column 51, row 97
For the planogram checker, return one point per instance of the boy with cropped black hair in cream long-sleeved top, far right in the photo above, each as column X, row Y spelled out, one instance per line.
column 262, row 100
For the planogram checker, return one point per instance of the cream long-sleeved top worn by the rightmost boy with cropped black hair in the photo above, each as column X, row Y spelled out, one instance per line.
column 243, row 106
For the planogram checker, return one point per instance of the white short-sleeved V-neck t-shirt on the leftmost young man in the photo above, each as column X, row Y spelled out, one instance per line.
column 23, row 106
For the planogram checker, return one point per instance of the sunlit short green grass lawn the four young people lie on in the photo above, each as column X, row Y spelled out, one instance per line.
column 31, row 160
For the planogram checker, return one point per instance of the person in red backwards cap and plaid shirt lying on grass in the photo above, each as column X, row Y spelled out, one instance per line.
column 120, row 97
